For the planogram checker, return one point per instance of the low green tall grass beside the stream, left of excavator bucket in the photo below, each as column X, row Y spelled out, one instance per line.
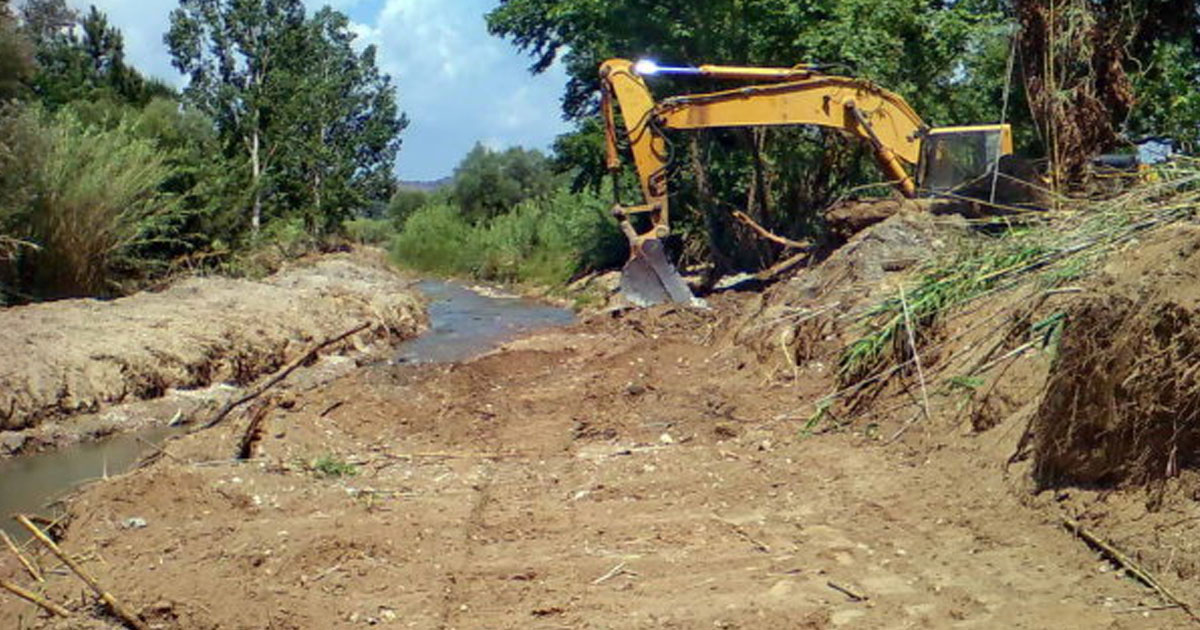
column 539, row 242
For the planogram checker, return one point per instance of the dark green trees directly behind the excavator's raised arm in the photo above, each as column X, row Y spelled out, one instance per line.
column 947, row 59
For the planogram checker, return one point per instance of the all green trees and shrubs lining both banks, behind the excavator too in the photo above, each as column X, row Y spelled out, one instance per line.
column 284, row 141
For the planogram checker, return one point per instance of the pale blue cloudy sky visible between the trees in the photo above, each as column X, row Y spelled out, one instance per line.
column 458, row 85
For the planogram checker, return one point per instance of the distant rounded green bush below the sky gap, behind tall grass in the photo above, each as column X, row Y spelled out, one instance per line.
column 489, row 183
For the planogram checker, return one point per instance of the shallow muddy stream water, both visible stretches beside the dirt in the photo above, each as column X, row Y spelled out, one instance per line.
column 463, row 323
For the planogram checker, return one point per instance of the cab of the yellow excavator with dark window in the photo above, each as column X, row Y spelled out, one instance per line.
column 956, row 157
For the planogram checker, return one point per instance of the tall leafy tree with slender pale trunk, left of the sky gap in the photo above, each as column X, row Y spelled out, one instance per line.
column 316, row 124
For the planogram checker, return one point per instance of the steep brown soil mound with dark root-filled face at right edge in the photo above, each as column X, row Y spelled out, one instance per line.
column 1124, row 398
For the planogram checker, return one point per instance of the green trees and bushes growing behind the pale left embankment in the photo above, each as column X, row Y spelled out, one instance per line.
column 110, row 181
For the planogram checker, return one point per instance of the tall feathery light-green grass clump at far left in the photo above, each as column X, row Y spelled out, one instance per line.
column 91, row 200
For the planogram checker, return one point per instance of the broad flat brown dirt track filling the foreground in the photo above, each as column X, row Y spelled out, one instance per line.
column 635, row 471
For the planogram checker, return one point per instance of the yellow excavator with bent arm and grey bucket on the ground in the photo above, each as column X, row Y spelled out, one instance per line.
column 941, row 158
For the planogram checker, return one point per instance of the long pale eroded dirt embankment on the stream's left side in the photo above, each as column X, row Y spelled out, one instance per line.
column 73, row 357
